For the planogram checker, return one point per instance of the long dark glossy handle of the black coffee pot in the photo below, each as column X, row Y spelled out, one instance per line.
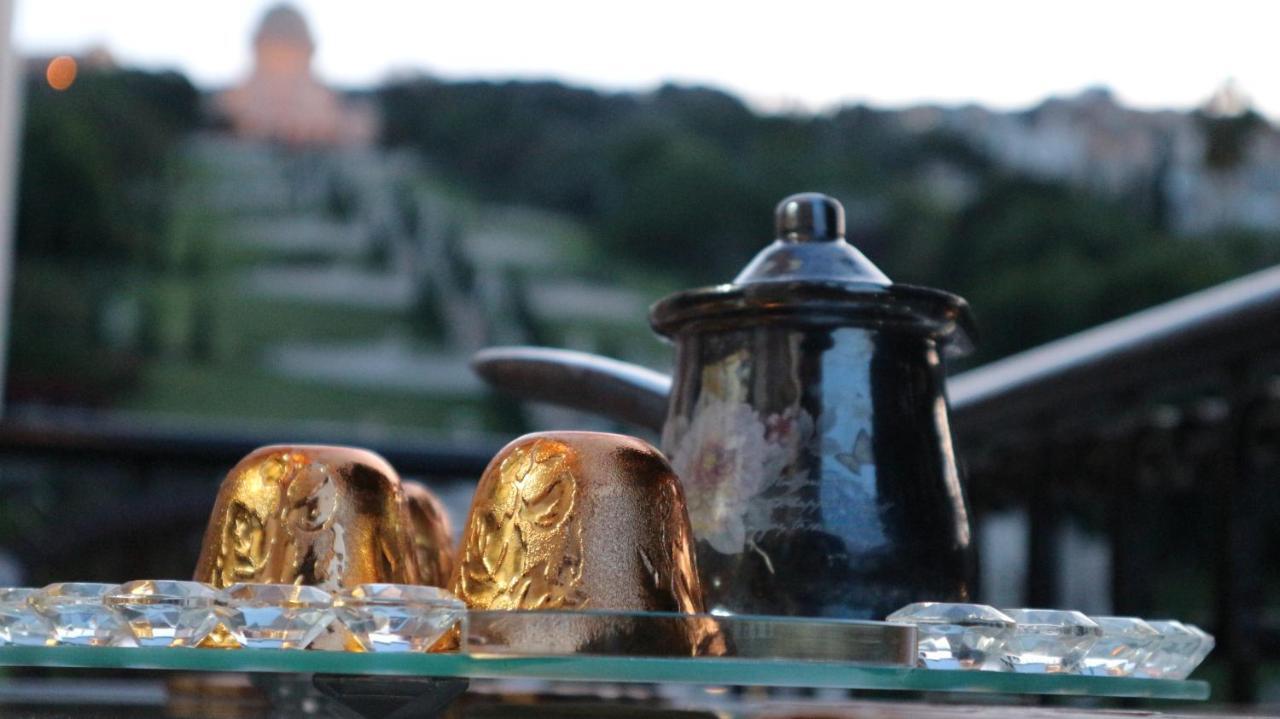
column 580, row 381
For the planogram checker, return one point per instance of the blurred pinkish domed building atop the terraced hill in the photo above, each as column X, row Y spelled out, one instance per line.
column 282, row 100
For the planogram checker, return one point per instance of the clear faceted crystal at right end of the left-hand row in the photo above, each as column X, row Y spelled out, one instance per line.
column 397, row 617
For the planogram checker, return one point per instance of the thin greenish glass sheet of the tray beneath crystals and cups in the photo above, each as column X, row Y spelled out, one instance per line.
column 587, row 668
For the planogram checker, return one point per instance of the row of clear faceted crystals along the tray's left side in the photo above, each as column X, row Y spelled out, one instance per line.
column 170, row 613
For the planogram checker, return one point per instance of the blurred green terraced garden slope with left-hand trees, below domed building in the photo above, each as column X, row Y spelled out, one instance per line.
column 168, row 265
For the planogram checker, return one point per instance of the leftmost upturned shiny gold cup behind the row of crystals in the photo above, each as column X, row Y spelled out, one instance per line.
column 324, row 516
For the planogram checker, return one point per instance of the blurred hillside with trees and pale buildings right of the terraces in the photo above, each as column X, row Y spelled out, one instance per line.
column 1049, row 221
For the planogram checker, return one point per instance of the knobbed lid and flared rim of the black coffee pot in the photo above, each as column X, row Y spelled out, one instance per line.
column 811, row 273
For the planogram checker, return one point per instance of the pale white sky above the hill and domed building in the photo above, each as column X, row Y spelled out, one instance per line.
column 1004, row 54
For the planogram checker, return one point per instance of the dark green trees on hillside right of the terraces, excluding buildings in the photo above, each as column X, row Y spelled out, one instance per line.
column 683, row 181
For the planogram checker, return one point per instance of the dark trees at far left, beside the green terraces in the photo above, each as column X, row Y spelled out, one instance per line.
column 94, row 201
